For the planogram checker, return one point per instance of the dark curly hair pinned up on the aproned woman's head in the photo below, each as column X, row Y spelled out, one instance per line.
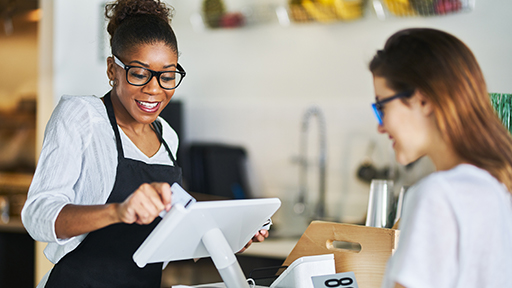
column 136, row 22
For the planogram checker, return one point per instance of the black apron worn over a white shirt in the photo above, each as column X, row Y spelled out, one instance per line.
column 104, row 257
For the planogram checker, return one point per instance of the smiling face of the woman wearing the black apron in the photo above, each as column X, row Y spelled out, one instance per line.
column 141, row 104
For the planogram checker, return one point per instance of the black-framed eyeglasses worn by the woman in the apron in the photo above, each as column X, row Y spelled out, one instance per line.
column 140, row 76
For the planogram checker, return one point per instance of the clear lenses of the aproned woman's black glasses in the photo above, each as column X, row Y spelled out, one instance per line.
column 140, row 76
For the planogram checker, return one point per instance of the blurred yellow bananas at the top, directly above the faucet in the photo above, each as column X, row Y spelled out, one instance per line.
column 327, row 11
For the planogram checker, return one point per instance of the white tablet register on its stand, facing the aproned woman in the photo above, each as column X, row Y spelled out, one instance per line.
column 215, row 229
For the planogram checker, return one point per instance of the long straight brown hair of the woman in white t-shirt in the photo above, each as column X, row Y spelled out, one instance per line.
column 445, row 71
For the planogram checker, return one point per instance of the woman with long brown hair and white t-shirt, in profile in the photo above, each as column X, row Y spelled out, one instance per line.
column 431, row 99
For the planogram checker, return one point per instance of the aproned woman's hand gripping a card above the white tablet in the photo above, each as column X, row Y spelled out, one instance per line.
column 144, row 205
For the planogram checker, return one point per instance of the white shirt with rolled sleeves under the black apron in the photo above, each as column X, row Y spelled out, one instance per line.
column 78, row 165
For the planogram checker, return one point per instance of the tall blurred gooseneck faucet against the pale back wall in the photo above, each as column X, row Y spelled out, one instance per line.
column 300, row 206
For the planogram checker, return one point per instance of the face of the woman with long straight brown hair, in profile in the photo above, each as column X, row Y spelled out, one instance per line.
column 407, row 125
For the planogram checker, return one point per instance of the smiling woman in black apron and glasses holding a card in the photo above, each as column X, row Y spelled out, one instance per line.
column 106, row 164
